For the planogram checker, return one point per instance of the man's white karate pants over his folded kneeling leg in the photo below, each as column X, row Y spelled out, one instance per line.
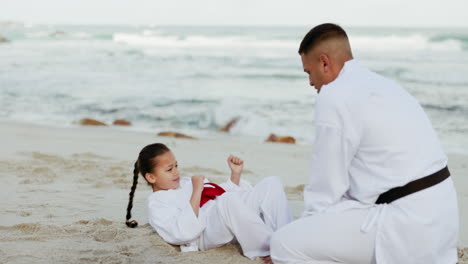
column 325, row 239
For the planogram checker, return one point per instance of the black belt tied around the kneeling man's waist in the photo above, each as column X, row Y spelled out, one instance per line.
column 414, row 186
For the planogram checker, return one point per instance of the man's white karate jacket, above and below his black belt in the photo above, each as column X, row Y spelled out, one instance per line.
column 371, row 136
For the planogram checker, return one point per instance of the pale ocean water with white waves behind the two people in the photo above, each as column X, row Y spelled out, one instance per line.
column 194, row 79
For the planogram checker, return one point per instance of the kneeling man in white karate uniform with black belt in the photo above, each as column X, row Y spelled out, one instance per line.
column 371, row 137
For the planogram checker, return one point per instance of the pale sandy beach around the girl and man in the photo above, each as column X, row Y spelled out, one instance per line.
column 64, row 192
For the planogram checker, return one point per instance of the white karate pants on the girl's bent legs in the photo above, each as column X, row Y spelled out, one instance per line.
column 250, row 217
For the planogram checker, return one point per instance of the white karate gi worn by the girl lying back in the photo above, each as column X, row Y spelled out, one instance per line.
column 245, row 213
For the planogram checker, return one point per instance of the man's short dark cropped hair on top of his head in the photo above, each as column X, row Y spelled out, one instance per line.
column 321, row 33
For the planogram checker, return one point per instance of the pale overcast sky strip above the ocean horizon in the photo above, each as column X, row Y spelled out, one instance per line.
column 406, row 13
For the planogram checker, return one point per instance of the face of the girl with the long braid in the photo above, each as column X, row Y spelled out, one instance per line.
column 165, row 175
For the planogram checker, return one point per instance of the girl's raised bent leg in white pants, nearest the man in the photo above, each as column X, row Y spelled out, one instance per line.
column 268, row 199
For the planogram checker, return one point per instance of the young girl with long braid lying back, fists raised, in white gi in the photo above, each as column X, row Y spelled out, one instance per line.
column 247, row 214
